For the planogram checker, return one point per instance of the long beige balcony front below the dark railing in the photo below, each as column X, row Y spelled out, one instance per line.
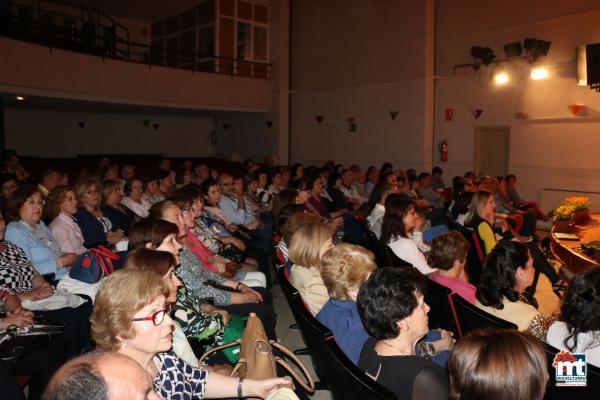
column 31, row 69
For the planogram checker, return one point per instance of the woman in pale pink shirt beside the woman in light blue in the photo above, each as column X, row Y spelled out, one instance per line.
column 60, row 207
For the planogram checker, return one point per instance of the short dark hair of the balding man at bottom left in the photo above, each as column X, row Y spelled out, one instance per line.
column 82, row 381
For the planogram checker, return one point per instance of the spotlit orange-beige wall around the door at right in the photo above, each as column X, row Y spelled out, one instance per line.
column 550, row 149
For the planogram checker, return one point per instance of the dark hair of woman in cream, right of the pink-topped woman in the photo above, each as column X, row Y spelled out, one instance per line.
column 498, row 274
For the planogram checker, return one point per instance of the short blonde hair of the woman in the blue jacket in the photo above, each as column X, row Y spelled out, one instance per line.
column 345, row 268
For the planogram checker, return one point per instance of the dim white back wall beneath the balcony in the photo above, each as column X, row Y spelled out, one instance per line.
column 54, row 133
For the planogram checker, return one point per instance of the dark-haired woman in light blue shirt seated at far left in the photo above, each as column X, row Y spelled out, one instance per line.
column 29, row 232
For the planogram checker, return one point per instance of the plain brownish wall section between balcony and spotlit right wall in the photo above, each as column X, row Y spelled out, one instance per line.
column 357, row 59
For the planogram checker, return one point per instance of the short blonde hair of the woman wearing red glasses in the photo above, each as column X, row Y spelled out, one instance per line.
column 124, row 293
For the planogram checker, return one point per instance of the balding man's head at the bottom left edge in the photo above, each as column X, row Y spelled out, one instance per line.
column 101, row 376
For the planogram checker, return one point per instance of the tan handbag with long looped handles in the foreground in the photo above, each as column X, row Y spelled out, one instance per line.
column 256, row 357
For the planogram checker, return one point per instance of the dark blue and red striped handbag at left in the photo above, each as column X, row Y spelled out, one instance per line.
column 94, row 264
